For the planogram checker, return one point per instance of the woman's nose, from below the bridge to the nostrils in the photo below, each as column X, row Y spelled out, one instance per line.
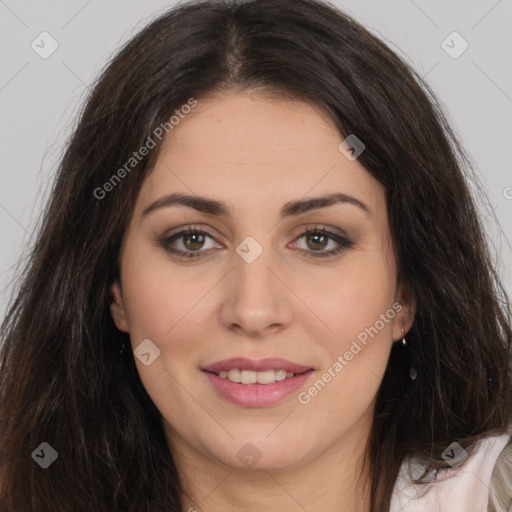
column 257, row 301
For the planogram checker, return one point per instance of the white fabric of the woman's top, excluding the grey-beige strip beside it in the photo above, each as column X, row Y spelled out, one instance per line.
column 462, row 489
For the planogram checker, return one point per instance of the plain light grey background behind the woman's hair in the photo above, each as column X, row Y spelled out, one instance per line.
column 39, row 98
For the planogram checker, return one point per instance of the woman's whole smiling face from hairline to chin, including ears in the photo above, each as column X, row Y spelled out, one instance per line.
column 243, row 278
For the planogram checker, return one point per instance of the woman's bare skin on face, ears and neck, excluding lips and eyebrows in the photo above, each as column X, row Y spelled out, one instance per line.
column 256, row 153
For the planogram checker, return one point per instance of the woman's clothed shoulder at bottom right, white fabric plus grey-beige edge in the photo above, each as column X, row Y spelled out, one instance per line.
column 482, row 483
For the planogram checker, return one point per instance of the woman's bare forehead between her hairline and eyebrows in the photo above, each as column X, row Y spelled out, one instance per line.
column 249, row 148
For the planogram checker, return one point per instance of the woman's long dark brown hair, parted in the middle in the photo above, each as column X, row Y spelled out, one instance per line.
column 64, row 380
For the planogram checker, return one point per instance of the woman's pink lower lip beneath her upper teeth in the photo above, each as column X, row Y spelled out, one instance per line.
column 257, row 395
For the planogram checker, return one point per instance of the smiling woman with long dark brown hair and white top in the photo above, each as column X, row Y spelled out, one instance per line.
column 260, row 282
